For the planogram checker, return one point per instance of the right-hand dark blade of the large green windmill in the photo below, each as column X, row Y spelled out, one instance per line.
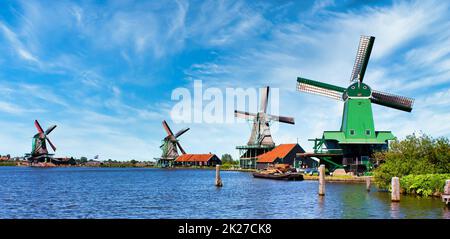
column 393, row 101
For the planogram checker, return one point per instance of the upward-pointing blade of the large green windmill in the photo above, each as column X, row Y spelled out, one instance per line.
column 362, row 58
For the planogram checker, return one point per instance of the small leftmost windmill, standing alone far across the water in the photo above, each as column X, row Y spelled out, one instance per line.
column 39, row 150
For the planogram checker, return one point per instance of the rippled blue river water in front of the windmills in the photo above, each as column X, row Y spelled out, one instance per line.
column 186, row 193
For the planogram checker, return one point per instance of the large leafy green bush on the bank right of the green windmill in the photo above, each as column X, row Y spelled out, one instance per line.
column 413, row 155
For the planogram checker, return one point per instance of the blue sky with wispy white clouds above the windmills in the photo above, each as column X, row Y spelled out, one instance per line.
column 104, row 71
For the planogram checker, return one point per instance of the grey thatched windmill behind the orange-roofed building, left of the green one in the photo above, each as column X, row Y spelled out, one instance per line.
column 261, row 139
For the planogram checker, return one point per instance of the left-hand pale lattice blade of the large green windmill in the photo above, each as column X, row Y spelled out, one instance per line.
column 319, row 88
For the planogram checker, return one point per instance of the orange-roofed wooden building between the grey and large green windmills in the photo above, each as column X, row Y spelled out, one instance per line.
column 282, row 154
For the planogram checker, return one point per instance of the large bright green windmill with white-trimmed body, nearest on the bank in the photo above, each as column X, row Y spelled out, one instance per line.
column 352, row 146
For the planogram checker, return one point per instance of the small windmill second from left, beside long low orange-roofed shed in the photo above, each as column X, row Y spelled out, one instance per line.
column 170, row 146
